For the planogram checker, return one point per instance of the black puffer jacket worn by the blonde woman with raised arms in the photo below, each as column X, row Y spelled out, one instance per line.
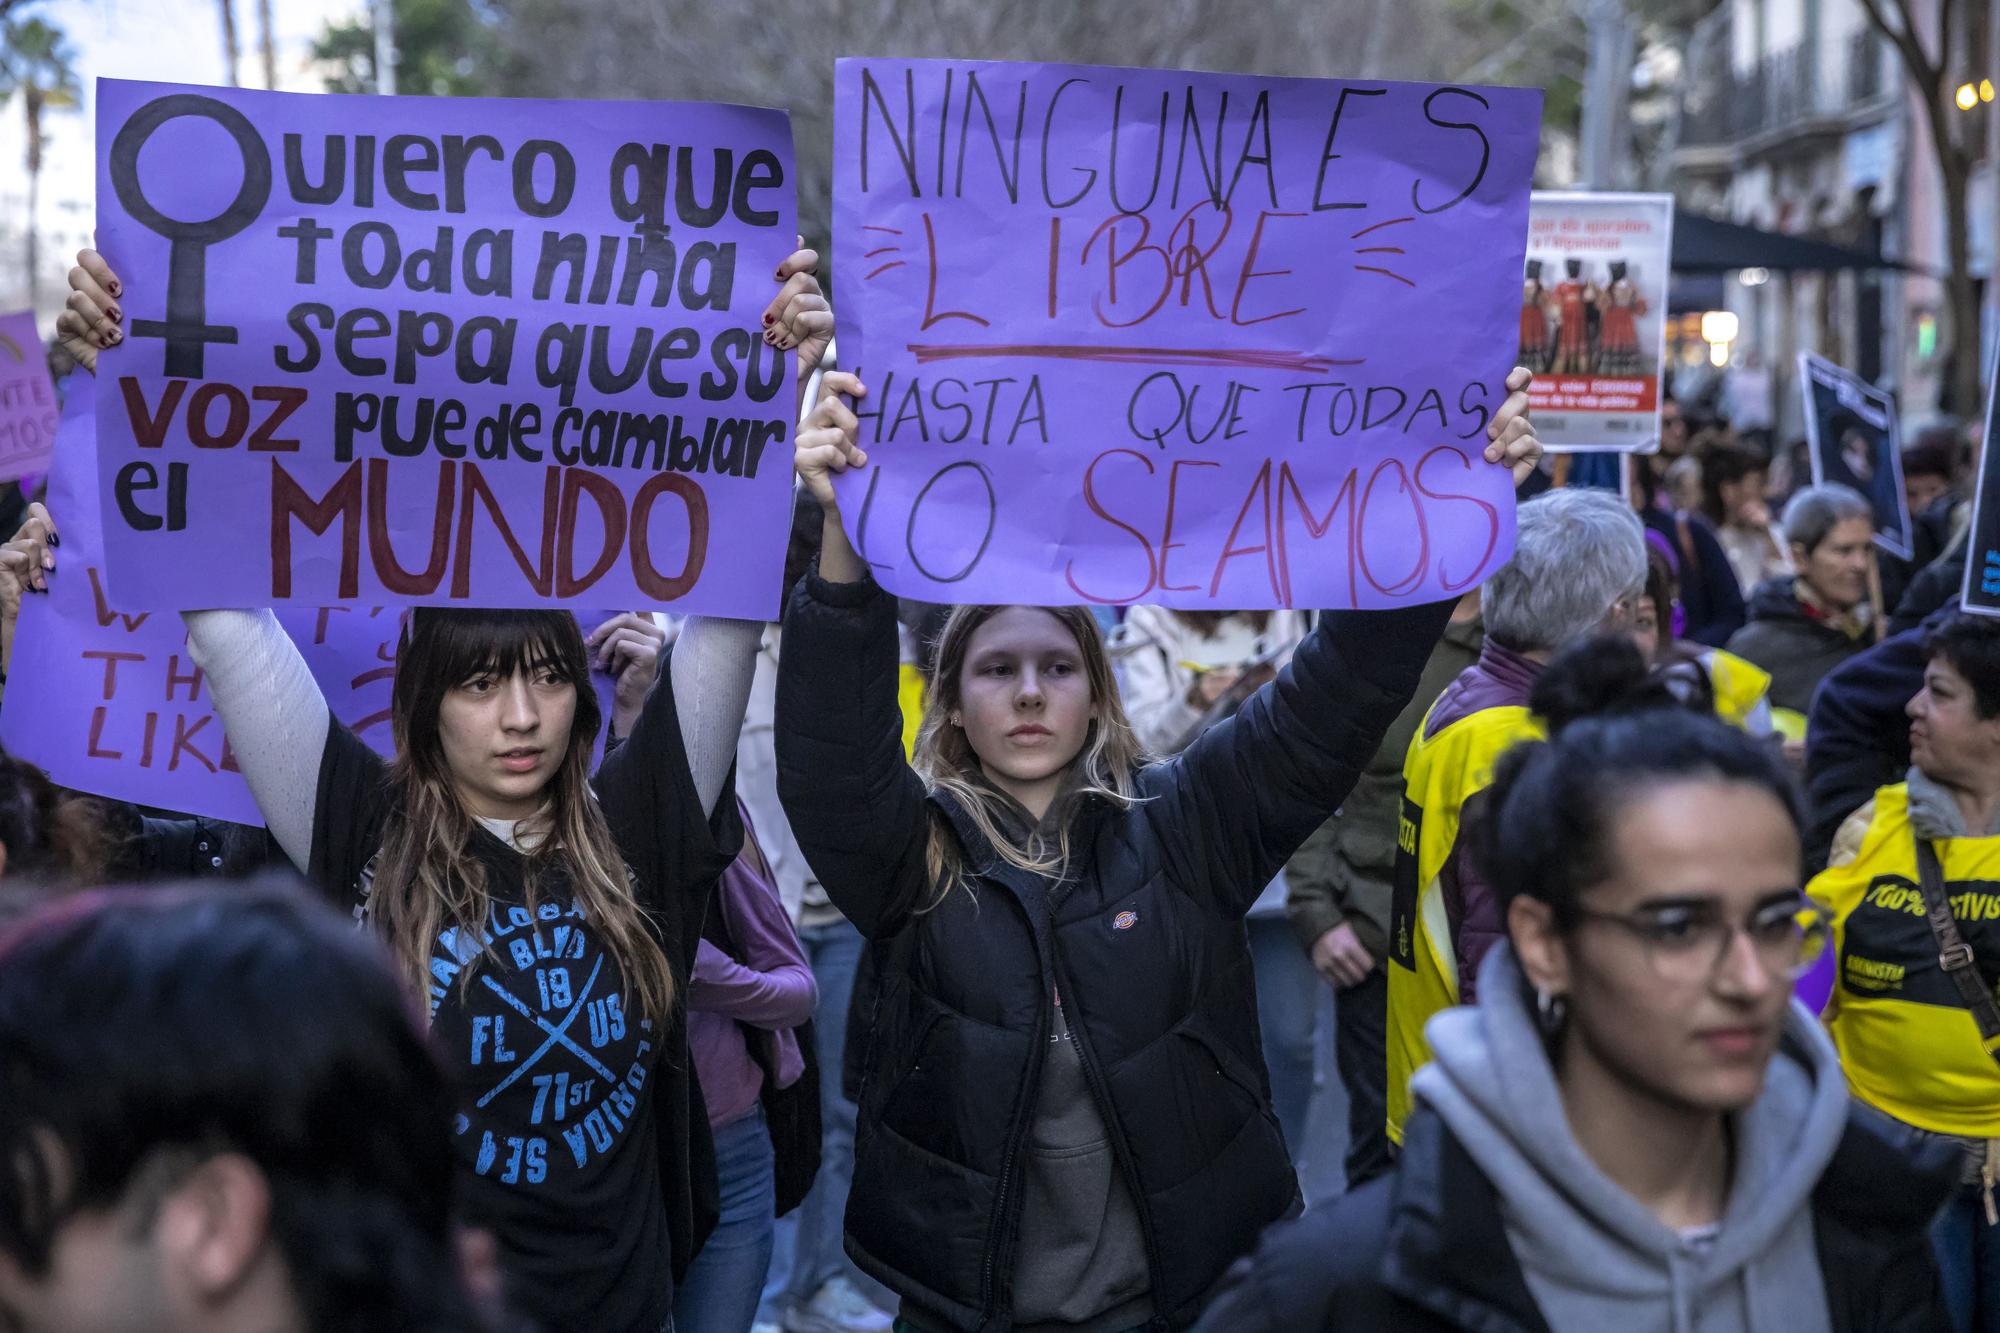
column 1145, row 940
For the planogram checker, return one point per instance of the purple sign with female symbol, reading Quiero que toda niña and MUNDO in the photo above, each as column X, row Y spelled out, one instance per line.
column 443, row 351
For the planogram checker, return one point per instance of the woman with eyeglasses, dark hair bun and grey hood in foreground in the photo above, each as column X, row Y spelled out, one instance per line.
column 1635, row 1128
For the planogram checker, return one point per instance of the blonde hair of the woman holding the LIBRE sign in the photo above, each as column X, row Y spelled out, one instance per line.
column 943, row 756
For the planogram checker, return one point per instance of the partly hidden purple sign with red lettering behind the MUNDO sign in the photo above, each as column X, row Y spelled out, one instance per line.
column 107, row 700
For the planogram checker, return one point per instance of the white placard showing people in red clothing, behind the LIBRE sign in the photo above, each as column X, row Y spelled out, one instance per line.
column 1593, row 317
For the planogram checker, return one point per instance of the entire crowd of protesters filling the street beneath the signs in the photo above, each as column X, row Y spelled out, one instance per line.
column 971, row 958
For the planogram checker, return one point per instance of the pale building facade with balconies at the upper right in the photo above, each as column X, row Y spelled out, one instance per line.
column 1797, row 119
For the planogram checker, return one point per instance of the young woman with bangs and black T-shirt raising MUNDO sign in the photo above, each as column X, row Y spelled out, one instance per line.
column 547, row 916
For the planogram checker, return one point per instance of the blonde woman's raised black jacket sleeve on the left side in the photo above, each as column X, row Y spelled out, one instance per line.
column 857, row 810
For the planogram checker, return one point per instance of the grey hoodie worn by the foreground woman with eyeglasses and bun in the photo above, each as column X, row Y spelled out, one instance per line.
column 1593, row 1256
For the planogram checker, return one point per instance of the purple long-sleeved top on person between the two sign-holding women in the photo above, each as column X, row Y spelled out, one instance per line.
column 769, row 994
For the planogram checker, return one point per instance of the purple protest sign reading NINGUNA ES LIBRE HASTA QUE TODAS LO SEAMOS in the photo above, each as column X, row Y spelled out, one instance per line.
column 1189, row 339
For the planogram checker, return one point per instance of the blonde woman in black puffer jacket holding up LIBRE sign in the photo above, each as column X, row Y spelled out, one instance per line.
column 1067, row 1120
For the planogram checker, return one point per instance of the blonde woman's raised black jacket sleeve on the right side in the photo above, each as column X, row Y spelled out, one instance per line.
column 1249, row 792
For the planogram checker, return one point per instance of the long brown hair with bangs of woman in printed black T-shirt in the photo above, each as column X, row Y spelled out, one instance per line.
column 429, row 882
